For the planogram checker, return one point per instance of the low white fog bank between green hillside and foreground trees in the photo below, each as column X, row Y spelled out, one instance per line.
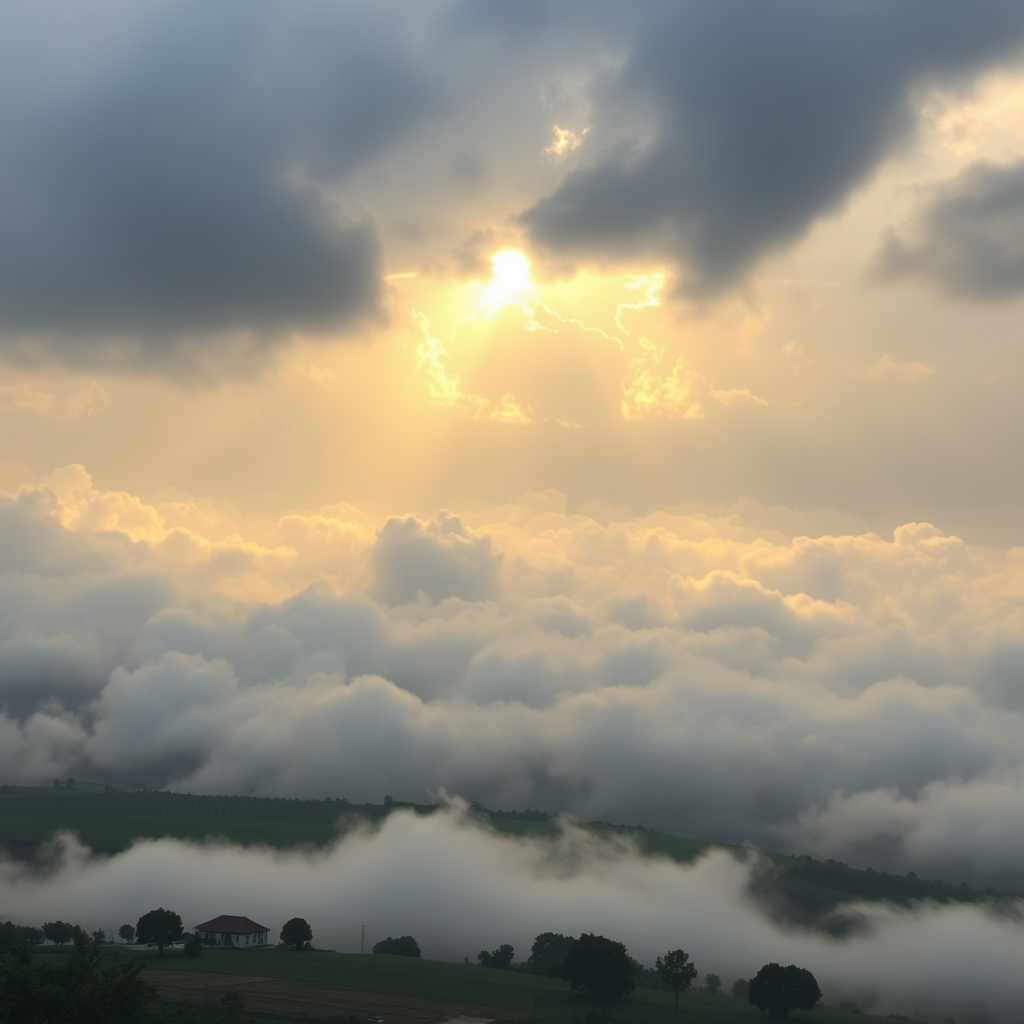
column 459, row 888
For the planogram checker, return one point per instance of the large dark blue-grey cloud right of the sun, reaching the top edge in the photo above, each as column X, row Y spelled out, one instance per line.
column 764, row 118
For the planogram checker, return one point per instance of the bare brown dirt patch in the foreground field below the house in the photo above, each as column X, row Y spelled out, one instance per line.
column 317, row 1001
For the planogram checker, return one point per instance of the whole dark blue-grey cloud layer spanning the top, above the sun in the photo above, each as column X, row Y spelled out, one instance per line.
column 183, row 179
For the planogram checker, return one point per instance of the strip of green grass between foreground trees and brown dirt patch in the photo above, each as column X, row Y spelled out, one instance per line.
column 539, row 998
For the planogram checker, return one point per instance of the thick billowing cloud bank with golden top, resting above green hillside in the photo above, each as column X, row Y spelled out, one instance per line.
column 856, row 697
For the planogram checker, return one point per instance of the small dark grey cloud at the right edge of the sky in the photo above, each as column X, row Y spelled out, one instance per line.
column 969, row 240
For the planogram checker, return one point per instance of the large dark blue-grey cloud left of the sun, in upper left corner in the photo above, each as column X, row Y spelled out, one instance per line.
column 174, row 185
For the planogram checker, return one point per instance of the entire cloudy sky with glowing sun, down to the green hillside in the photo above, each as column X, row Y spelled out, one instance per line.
column 602, row 409
